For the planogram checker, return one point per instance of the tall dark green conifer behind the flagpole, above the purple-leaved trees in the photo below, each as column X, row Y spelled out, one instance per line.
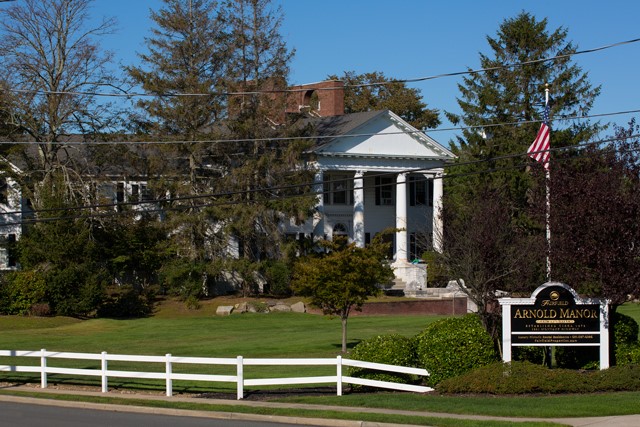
column 500, row 106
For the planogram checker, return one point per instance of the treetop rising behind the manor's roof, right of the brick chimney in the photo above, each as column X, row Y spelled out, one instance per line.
column 374, row 91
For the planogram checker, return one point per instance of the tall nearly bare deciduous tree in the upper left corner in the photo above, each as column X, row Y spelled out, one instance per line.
column 52, row 61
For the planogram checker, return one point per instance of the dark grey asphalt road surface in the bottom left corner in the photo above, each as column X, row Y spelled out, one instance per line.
column 30, row 415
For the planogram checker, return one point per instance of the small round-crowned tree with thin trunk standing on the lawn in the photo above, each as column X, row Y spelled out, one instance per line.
column 343, row 278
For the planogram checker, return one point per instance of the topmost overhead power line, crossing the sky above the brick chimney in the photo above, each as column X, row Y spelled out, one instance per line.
column 276, row 91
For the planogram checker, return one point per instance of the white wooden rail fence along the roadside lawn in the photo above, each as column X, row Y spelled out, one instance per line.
column 169, row 376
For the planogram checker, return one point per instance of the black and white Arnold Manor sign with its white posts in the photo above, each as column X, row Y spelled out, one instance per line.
column 555, row 316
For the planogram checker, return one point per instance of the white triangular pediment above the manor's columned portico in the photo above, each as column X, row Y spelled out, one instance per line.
column 384, row 135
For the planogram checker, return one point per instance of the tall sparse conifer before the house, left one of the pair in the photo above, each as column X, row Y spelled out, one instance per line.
column 184, row 67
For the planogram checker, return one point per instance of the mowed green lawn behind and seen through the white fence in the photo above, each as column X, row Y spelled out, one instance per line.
column 199, row 334
